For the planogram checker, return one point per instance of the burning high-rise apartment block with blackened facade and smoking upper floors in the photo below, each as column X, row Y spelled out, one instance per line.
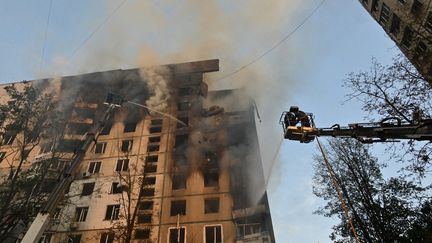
column 182, row 167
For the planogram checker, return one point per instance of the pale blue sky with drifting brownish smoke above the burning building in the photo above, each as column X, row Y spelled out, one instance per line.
column 306, row 70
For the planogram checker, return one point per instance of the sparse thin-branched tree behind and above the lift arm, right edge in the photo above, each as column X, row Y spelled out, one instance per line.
column 396, row 90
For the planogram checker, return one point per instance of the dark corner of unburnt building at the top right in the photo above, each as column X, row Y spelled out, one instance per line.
column 409, row 25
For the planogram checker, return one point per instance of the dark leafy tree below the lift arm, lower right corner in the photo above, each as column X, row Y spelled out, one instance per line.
column 382, row 210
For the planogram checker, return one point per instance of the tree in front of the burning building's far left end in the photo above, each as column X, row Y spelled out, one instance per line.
column 24, row 124
